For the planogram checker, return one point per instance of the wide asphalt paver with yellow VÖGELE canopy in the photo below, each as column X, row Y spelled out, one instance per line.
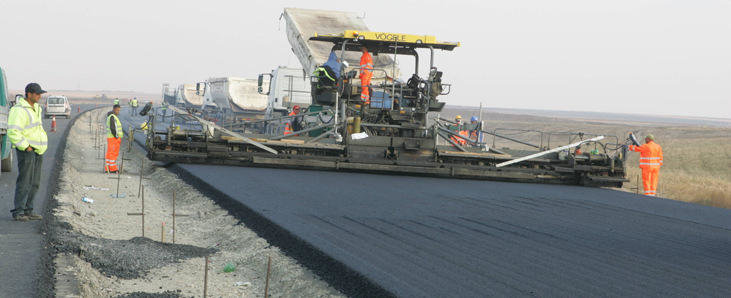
column 398, row 131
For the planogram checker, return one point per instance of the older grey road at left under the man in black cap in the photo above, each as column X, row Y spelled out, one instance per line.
column 20, row 243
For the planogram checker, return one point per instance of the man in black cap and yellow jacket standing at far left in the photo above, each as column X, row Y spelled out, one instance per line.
column 25, row 131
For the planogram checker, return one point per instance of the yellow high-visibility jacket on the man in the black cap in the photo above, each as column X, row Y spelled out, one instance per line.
column 25, row 127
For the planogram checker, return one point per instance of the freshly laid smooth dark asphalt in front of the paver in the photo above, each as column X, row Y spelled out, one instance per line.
column 417, row 236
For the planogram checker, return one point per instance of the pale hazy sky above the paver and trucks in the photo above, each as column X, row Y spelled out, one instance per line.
column 659, row 57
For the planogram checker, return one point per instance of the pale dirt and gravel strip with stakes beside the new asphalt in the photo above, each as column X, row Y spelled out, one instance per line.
column 109, row 259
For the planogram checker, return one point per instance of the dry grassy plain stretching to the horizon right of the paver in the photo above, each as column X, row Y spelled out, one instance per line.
column 697, row 160
